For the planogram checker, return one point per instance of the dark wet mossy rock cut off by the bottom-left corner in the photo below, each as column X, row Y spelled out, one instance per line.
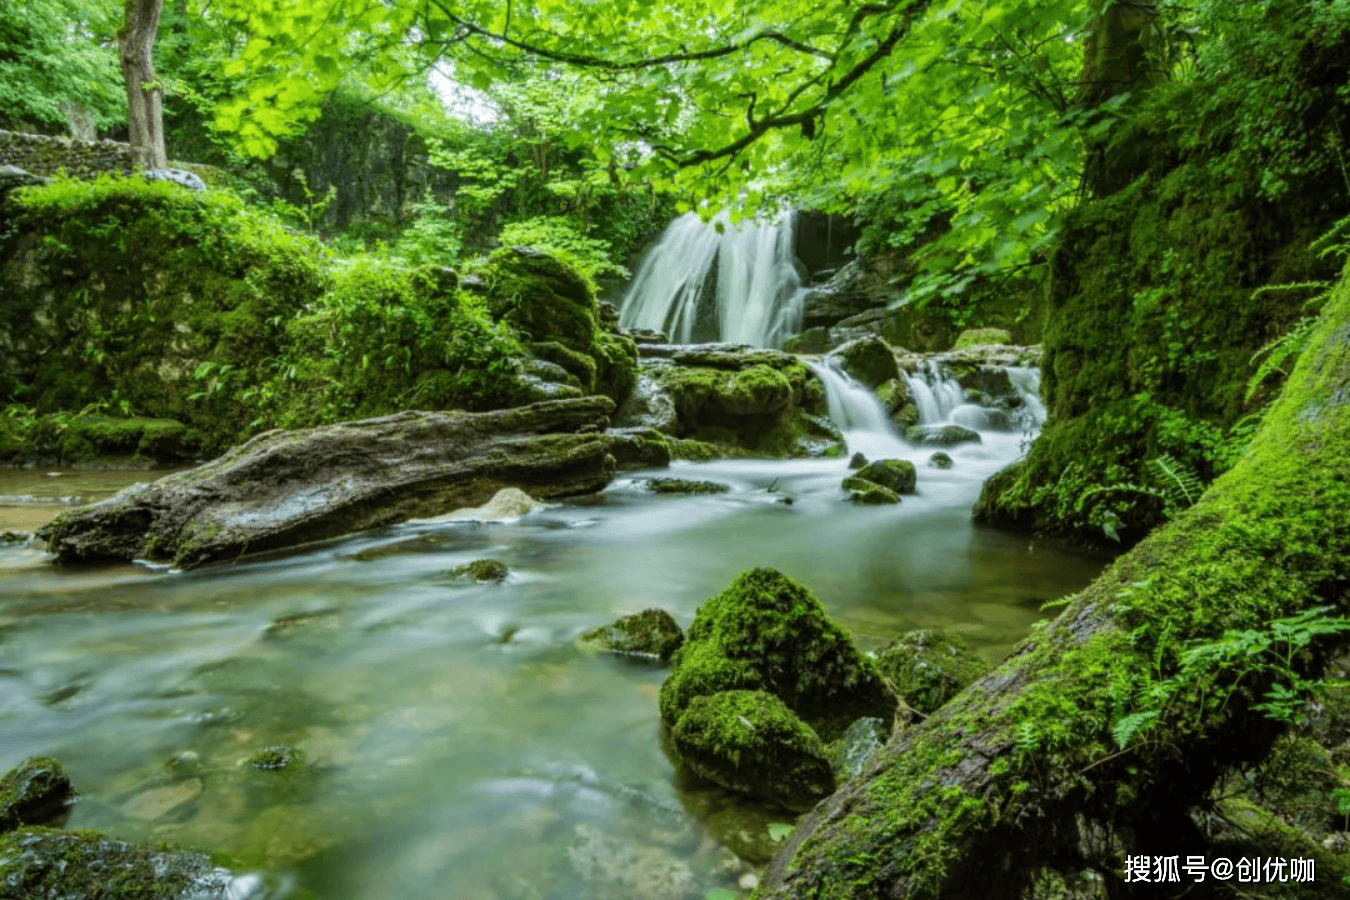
column 83, row 866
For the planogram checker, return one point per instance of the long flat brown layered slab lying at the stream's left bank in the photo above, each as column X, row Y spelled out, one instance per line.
column 290, row 488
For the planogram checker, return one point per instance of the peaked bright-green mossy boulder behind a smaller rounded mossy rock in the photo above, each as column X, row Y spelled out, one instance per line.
column 767, row 632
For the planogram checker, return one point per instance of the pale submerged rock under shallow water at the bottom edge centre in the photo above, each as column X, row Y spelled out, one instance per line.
column 615, row 870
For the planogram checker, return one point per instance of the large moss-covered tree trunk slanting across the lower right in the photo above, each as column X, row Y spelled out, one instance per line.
column 1025, row 772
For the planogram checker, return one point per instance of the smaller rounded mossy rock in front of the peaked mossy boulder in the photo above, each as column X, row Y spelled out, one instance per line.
column 749, row 741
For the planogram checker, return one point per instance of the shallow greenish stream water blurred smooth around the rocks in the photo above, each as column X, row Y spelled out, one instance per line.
column 456, row 744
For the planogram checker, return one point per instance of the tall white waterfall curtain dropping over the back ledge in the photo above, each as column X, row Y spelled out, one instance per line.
column 718, row 281
